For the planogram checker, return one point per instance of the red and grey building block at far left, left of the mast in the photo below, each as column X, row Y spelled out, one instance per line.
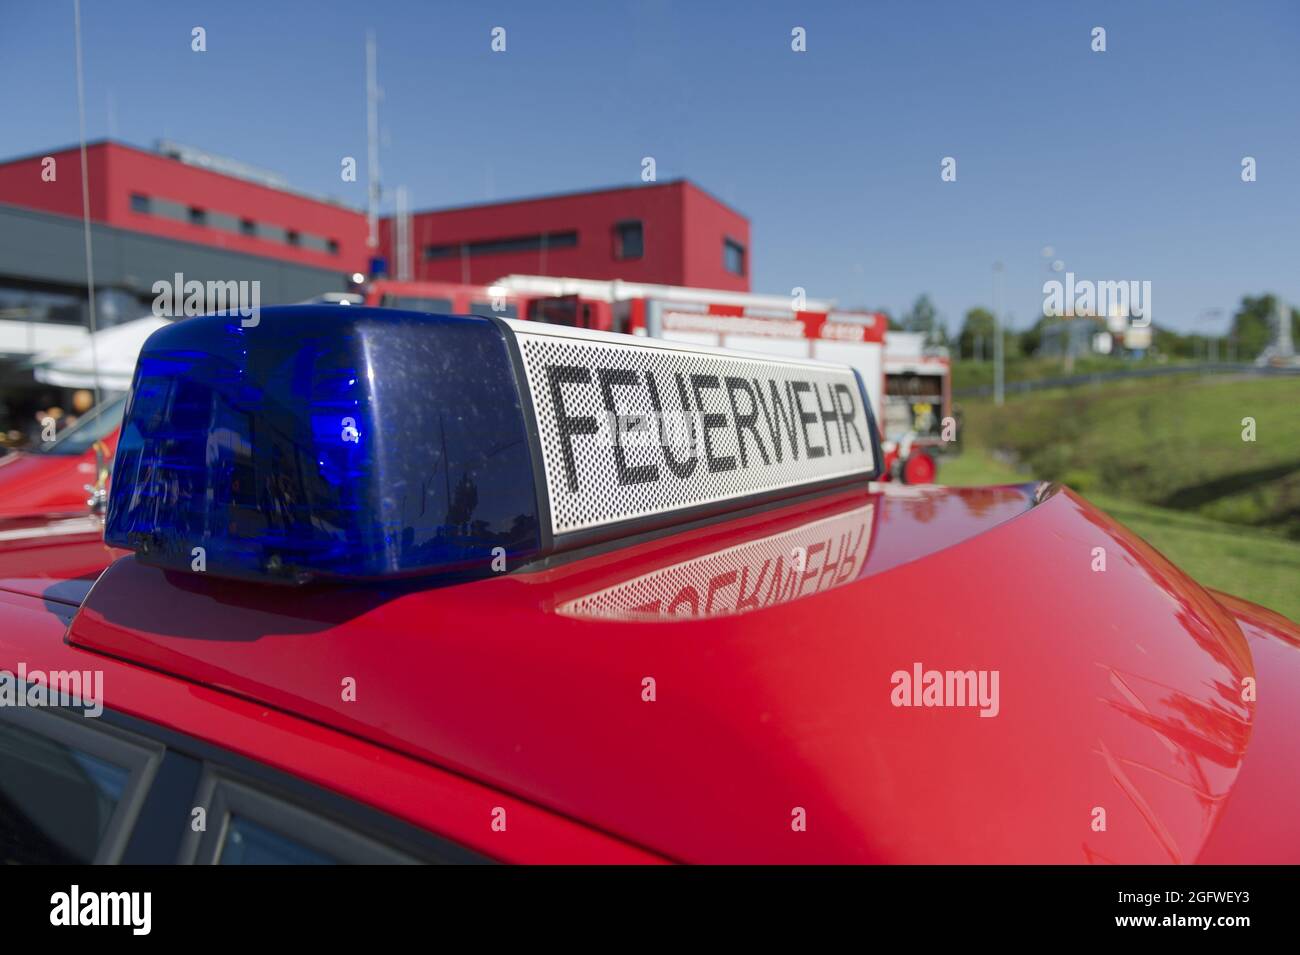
column 155, row 215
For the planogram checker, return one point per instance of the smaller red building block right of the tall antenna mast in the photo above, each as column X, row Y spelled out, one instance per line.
column 670, row 233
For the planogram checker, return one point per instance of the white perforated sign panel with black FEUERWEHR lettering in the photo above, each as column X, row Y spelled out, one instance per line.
column 635, row 428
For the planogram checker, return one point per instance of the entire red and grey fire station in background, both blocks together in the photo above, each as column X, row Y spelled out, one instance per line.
column 179, row 210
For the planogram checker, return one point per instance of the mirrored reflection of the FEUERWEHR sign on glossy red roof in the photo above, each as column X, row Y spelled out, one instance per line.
column 775, row 570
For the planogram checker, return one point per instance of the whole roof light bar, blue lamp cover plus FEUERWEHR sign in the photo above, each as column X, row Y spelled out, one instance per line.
column 367, row 444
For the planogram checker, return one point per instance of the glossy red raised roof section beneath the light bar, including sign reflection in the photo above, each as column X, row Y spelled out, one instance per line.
column 779, row 648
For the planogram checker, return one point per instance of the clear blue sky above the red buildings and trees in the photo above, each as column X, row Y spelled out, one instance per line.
column 1128, row 162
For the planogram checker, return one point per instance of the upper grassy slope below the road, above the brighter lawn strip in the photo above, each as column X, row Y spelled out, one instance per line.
column 1172, row 442
